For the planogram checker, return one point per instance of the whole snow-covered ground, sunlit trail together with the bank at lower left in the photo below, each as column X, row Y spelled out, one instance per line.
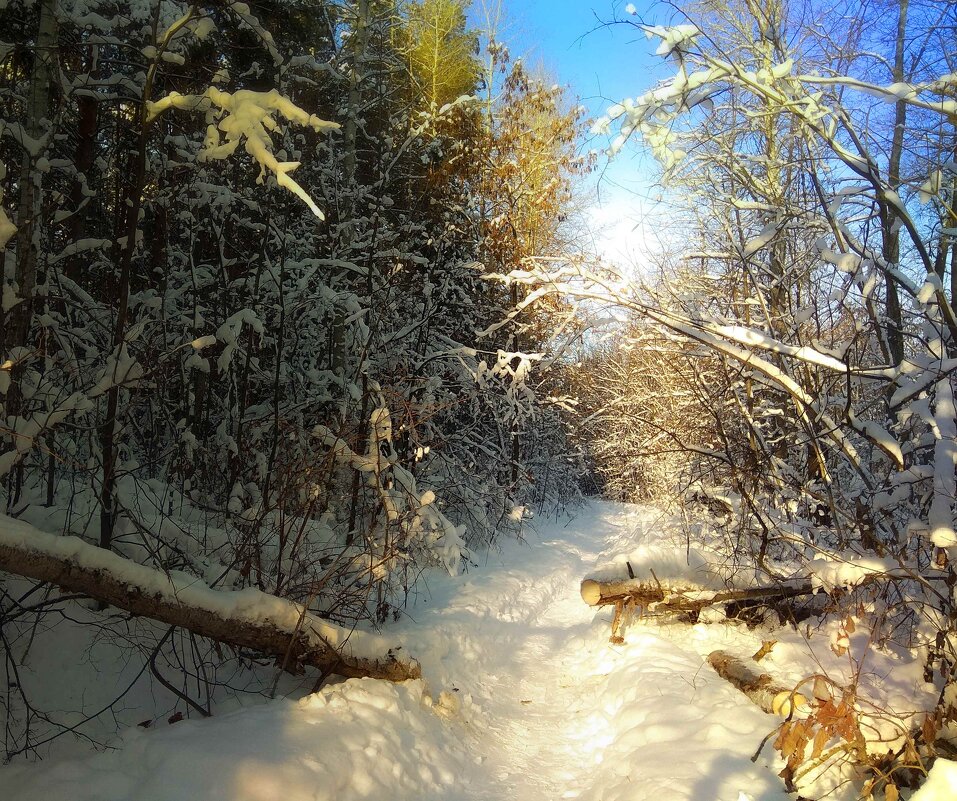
column 522, row 697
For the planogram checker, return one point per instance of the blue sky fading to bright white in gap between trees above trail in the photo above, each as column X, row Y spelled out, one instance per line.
column 600, row 64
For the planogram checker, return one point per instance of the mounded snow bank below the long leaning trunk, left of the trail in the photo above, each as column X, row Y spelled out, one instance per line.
column 364, row 739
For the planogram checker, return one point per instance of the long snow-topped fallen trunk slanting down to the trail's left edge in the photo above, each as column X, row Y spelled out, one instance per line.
column 245, row 618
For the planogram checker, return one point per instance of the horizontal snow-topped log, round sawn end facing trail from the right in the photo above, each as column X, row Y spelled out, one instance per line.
column 678, row 599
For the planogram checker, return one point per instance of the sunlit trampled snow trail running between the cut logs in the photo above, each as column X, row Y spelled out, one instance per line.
column 569, row 715
